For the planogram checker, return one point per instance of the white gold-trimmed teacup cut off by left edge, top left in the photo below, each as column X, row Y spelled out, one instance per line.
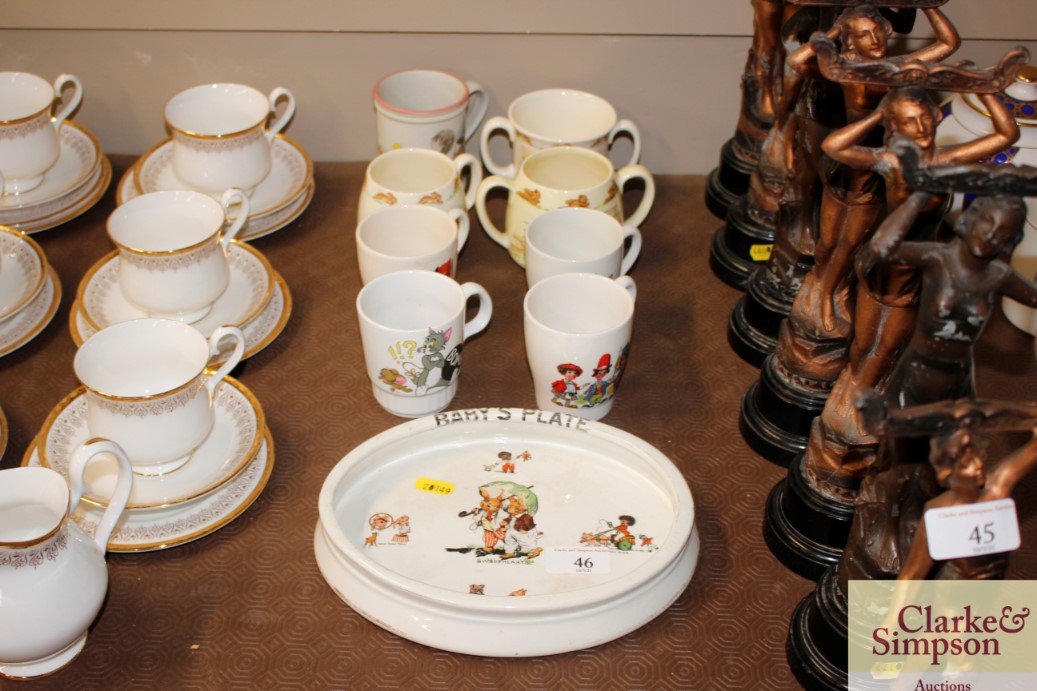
column 30, row 145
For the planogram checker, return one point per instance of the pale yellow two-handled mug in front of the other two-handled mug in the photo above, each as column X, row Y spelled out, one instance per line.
column 560, row 178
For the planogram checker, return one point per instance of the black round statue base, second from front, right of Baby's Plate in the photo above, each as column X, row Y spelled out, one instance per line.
column 805, row 529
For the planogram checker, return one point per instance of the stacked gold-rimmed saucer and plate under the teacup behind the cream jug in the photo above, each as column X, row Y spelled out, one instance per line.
column 222, row 479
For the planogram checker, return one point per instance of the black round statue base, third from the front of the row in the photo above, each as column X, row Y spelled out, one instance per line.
column 776, row 417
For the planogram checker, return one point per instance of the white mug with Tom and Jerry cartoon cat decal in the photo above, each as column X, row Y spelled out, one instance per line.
column 413, row 329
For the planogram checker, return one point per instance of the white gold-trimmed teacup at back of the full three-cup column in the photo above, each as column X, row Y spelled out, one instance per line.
column 220, row 135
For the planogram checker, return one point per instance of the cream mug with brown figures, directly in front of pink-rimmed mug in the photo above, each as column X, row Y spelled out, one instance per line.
column 419, row 177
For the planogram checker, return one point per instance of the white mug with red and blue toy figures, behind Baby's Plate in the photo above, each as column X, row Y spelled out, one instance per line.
column 578, row 340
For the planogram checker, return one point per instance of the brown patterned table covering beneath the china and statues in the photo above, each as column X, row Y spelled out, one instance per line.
column 246, row 607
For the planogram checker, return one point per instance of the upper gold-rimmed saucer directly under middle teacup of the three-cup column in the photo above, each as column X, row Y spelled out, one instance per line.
column 251, row 287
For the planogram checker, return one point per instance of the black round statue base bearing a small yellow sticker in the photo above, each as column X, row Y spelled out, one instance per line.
column 741, row 246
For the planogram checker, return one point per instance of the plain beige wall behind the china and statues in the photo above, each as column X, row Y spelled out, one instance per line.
column 671, row 66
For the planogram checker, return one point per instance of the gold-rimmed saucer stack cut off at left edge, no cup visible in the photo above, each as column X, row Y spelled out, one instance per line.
column 30, row 290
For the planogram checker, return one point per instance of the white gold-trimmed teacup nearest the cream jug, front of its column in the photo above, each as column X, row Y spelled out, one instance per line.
column 148, row 389
